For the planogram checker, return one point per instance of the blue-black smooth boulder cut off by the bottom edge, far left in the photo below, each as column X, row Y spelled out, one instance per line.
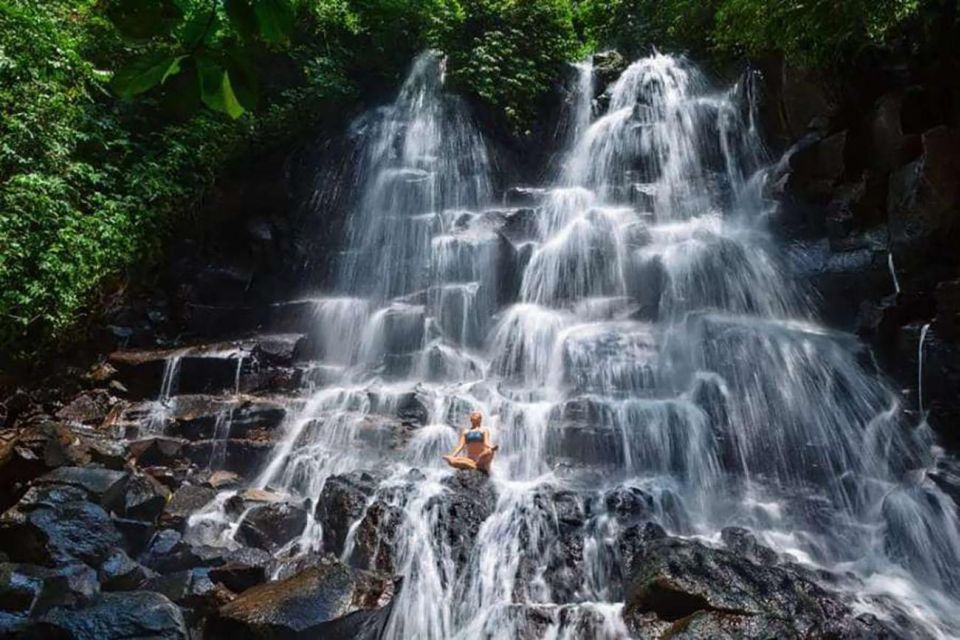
column 114, row 616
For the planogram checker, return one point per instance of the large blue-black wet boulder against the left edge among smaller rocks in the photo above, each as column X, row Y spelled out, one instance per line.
column 55, row 525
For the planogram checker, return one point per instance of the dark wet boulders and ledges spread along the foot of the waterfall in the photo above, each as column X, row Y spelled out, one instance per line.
column 99, row 490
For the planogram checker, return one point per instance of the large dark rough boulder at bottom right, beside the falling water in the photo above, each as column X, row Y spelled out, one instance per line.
column 717, row 593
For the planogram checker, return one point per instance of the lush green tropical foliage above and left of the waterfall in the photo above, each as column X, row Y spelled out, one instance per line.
column 118, row 114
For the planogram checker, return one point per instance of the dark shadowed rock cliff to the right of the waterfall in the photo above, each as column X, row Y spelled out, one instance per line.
column 871, row 193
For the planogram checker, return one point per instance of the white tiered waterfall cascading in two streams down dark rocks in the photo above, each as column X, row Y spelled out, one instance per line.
column 636, row 330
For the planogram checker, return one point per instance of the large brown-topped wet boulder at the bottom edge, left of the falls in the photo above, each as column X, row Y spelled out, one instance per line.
column 327, row 601
